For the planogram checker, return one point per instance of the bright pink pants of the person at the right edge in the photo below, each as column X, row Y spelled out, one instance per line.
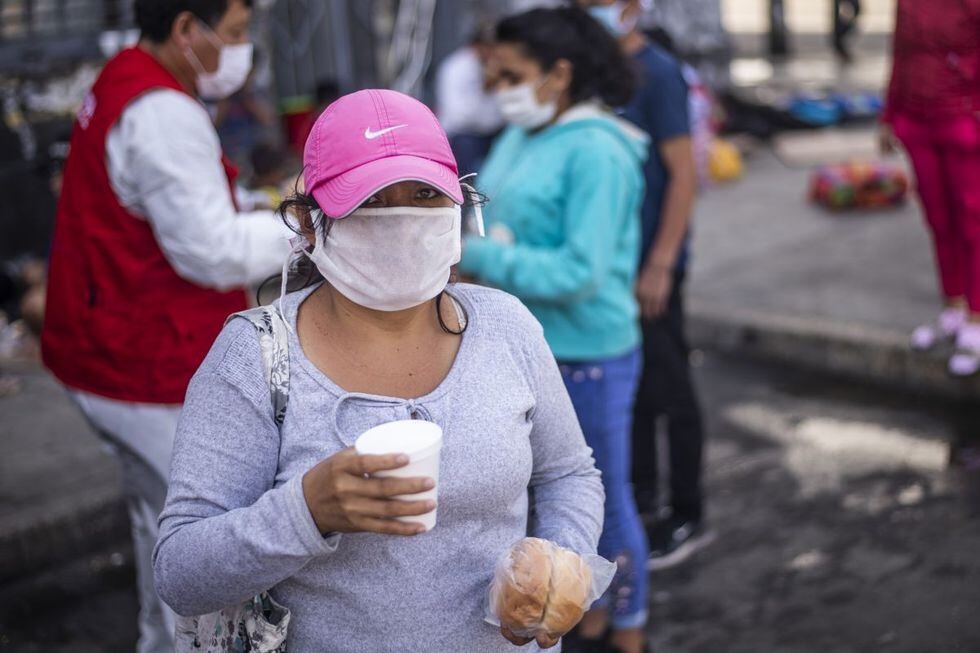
column 946, row 157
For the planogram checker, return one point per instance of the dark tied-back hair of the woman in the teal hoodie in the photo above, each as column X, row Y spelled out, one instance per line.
column 599, row 67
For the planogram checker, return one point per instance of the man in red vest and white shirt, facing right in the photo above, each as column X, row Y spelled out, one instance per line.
column 150, row 253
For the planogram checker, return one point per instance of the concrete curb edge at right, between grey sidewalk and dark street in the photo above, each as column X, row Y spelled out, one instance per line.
column 857, row 351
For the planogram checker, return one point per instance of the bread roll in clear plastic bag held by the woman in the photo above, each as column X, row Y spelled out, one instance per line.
column 540, row 587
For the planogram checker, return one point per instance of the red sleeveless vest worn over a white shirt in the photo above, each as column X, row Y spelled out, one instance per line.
column 120, row 322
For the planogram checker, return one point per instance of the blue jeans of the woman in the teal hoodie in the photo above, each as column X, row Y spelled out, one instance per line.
column 603, row 393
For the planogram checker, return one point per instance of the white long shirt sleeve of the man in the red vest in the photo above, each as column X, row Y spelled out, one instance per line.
column 164, row 163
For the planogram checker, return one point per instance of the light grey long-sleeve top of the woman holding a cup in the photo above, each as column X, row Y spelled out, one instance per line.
column 236, row 522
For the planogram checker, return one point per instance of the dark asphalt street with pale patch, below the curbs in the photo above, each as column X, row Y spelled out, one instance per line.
column 841, row 528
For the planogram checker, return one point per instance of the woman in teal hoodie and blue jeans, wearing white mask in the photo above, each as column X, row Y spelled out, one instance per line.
column 566, row 185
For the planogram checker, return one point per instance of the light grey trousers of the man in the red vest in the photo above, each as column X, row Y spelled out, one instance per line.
column 142, row 437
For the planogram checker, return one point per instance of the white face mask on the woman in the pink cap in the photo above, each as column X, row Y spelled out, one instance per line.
column 390, row 259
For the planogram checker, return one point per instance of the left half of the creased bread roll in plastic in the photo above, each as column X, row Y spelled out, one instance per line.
column 522, row 597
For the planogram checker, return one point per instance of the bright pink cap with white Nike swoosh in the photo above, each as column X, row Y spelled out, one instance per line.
column 372, row 139
